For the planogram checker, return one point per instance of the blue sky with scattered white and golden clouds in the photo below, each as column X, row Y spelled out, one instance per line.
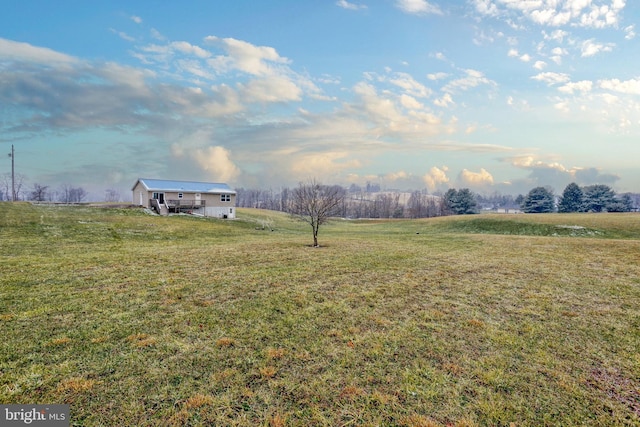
column 492, row 95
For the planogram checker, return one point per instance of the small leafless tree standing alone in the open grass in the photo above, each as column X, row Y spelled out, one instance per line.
column 315, row 203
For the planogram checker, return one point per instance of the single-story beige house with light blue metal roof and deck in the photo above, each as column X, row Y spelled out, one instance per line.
column 199, row 198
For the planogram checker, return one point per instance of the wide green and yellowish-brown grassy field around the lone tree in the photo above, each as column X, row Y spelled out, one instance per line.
column 497, row 320
